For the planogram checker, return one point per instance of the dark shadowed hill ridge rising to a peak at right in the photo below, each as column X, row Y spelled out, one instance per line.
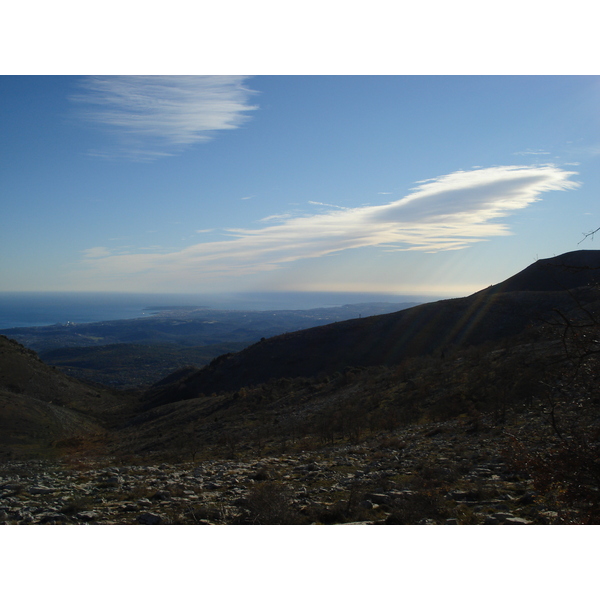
column 500, row 311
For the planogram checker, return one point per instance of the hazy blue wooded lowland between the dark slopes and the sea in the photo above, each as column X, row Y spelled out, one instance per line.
column 132, row 353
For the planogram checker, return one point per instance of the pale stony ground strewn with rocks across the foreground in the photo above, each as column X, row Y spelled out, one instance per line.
column 443, row 474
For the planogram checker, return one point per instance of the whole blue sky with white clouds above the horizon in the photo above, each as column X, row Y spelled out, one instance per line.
column 435, row 185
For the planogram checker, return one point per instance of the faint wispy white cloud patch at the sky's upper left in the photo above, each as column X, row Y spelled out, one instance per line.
column 154, row 116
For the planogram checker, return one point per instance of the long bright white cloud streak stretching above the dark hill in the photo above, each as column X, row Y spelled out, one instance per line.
column 445, row 213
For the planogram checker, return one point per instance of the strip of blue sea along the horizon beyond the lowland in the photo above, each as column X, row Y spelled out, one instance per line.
column 37, row 309
